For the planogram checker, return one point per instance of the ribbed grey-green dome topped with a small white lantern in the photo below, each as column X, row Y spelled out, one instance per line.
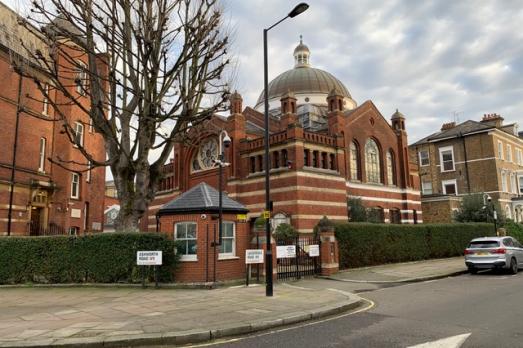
column 303, row 79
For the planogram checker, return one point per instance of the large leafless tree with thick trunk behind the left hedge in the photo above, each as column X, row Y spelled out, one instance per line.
column 151, row 70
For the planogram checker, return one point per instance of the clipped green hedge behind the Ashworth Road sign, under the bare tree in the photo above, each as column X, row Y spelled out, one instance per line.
column 97, row 258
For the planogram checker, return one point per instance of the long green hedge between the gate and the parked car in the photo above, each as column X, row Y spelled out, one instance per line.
column 366, row 244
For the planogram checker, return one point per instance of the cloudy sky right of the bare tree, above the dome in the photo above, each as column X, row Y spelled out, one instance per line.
column 433, row 60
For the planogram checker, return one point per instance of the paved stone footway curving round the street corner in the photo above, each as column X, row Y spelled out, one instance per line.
column 90, row 316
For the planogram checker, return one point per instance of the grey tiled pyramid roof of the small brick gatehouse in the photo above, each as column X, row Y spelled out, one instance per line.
column 199, row 199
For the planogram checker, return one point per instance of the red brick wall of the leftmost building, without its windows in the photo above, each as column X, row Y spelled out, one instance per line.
column 33, row 125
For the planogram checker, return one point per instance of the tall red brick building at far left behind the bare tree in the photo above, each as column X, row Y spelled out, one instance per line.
column 36, row 195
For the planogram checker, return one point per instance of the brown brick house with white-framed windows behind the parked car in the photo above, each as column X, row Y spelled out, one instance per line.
column 471, row 157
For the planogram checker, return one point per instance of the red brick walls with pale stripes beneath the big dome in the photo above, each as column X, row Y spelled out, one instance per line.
column 302, row 192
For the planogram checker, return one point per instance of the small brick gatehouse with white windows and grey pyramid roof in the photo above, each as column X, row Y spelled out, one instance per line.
column 192, row 220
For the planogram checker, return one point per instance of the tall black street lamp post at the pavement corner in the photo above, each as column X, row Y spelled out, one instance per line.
column 301, row 7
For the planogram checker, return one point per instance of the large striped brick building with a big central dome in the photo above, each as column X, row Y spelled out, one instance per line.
column 324, row 149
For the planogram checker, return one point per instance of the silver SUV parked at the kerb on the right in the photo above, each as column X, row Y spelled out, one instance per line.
column 494, row 253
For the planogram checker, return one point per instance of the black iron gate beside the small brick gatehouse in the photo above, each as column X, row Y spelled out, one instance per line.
column 302, row 264
